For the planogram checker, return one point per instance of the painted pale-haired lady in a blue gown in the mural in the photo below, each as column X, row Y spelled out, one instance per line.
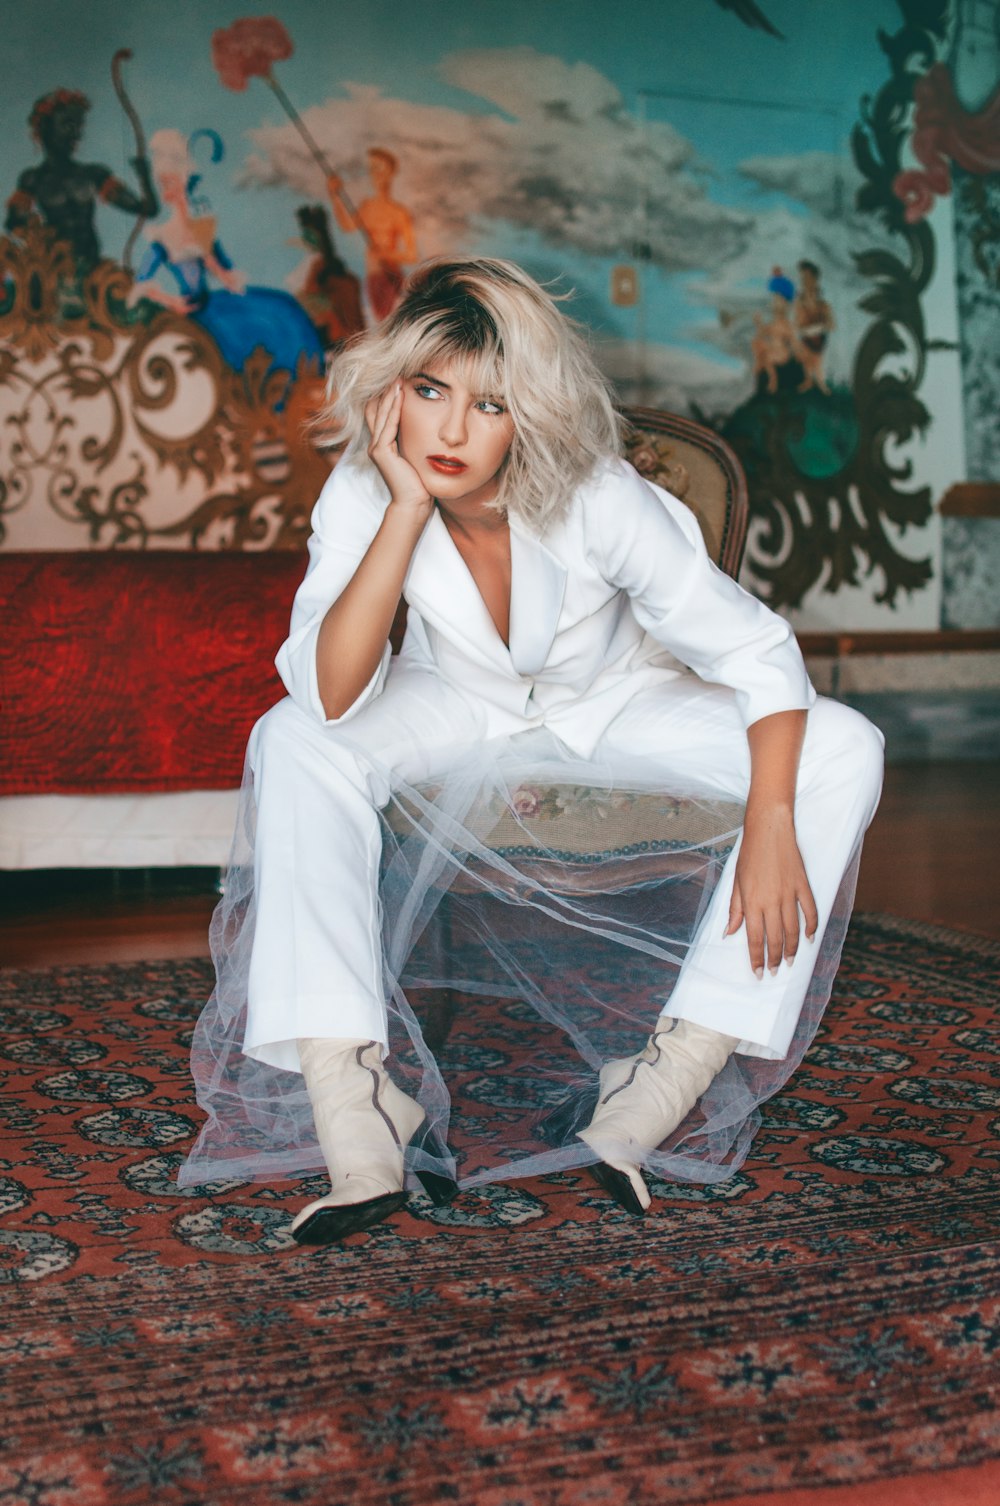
column 187, row 246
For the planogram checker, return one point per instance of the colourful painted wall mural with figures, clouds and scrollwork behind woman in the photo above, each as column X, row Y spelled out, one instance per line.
column 754, row 207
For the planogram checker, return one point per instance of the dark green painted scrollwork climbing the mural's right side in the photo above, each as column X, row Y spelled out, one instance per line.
column 831, row 499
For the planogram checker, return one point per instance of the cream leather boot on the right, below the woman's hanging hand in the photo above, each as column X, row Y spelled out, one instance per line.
column 644, row 1099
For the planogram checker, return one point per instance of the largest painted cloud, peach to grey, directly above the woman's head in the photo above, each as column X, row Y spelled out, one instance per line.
column 558, row 156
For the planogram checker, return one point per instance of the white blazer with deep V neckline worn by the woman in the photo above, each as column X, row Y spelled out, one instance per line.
column 618, row 596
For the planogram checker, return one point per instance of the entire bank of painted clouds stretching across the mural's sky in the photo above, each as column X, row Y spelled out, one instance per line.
column 561, row 159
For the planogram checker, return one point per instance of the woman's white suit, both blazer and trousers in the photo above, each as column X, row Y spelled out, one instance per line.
column 606, row 611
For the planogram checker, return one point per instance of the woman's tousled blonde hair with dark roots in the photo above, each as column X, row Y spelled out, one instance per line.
column 520, row 350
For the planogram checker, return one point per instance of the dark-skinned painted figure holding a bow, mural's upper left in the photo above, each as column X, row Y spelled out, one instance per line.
column 64, row 192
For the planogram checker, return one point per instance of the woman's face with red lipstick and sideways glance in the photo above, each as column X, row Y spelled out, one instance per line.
column 454, row 437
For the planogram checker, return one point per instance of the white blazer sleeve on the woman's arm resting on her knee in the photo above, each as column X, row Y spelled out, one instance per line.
column 648, row 544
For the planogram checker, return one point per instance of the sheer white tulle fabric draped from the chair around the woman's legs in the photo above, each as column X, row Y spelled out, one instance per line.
column 535, row 912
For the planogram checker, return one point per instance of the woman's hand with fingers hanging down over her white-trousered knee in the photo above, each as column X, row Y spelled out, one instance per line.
column 770, row 891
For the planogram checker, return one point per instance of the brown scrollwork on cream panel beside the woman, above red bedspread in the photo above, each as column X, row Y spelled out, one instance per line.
column 126, row 427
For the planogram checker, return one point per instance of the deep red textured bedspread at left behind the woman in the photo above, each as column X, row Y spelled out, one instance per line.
column 136, row 672
